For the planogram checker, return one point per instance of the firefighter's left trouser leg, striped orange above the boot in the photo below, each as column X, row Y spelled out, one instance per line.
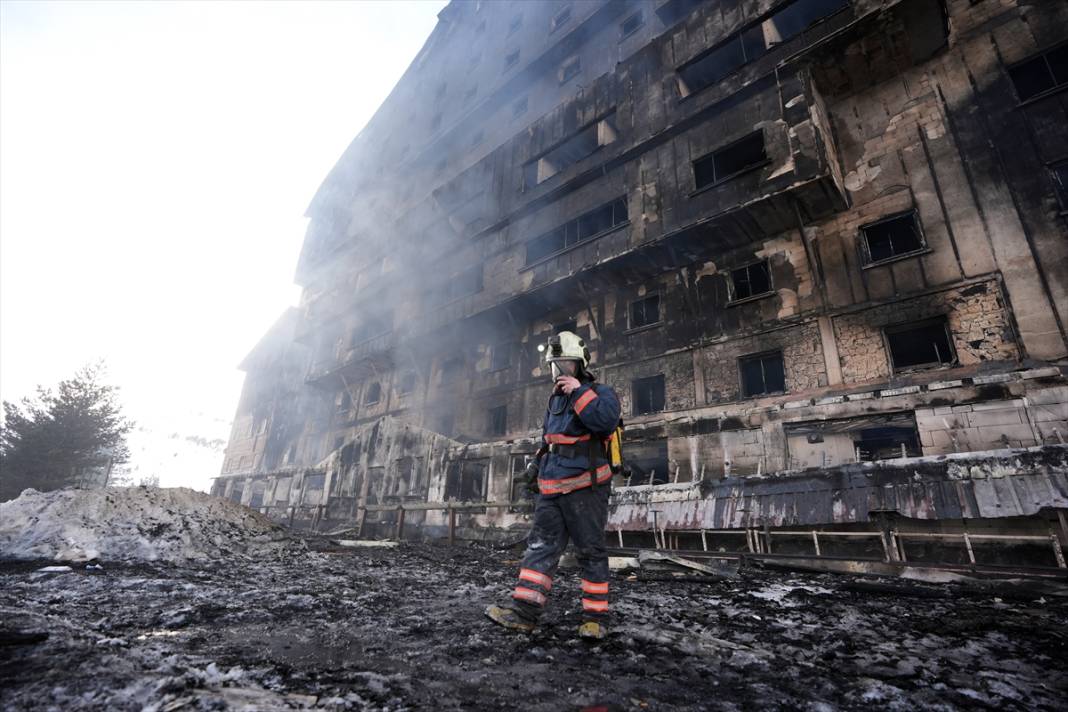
column 547, row 541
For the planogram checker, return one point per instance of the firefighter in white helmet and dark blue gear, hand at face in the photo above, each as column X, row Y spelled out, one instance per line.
column 574, row 481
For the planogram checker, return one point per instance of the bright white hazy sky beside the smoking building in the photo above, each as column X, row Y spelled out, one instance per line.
column 156, row 161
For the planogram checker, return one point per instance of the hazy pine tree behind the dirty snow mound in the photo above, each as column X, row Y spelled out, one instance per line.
column 64, row 439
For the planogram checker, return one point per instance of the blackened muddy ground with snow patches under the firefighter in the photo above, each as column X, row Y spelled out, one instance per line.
column 403, row 629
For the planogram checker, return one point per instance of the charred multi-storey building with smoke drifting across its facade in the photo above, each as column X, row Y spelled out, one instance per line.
column 819, row 247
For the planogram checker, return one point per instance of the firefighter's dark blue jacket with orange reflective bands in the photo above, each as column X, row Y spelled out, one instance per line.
column 576, row 428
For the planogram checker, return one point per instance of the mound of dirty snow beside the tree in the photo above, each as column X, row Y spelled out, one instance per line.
column 135, row 524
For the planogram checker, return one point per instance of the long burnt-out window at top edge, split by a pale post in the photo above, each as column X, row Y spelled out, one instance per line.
column 752, row 43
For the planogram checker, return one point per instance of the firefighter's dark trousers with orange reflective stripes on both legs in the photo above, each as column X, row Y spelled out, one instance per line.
column 579, row 517
